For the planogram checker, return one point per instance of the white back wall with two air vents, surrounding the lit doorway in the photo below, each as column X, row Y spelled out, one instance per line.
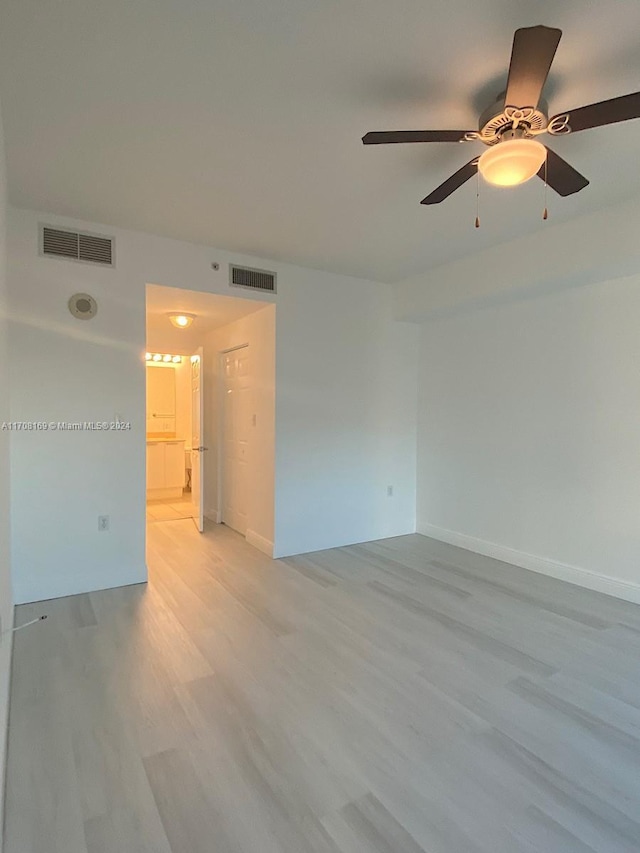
column 345, row 406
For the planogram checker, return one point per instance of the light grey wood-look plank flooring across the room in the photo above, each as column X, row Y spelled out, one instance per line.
column 395, row 697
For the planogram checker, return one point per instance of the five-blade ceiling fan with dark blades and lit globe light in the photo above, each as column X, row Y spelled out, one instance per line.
column 509, row 127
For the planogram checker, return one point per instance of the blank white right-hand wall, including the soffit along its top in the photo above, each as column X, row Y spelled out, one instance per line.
column 529, row 444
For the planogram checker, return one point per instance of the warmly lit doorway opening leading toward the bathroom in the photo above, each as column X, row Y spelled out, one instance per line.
column 227, row 353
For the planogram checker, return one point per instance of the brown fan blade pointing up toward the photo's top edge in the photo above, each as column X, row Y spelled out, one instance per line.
column 531, row 57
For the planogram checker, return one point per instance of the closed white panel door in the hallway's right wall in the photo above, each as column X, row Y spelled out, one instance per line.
column 235, row 434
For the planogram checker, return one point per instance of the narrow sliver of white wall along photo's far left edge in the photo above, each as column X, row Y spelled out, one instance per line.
column 6, row 598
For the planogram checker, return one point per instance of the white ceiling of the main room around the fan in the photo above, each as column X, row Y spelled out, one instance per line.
column 237, row 123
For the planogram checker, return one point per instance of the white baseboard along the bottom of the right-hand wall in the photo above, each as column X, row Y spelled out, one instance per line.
column 562, row 571
